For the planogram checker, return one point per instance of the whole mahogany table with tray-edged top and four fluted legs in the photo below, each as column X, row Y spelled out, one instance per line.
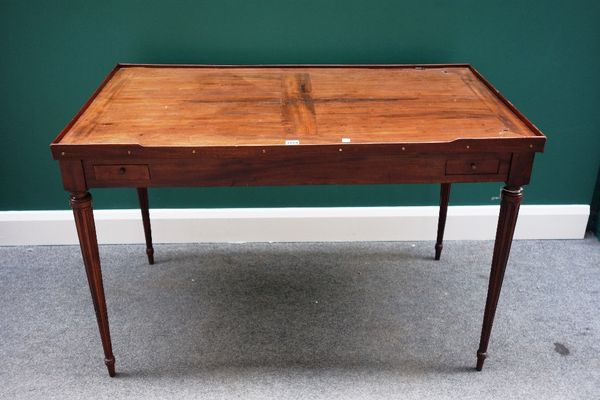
column 200, row 125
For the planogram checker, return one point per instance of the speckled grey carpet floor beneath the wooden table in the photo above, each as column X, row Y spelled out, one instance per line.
column 302, row 321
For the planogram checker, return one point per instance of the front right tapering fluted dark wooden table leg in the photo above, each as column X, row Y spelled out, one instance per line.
column 509, row 211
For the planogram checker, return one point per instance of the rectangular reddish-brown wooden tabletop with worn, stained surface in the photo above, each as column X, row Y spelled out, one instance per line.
column 205, row 106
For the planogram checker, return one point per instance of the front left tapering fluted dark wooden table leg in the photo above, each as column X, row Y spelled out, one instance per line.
column 81, row 203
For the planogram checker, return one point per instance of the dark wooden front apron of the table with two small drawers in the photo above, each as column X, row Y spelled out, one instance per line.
column 298, row 170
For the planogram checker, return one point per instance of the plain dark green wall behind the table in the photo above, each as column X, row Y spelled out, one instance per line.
column 543, row 55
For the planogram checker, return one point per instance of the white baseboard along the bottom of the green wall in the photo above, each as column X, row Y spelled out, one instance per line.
column 55, row 227
